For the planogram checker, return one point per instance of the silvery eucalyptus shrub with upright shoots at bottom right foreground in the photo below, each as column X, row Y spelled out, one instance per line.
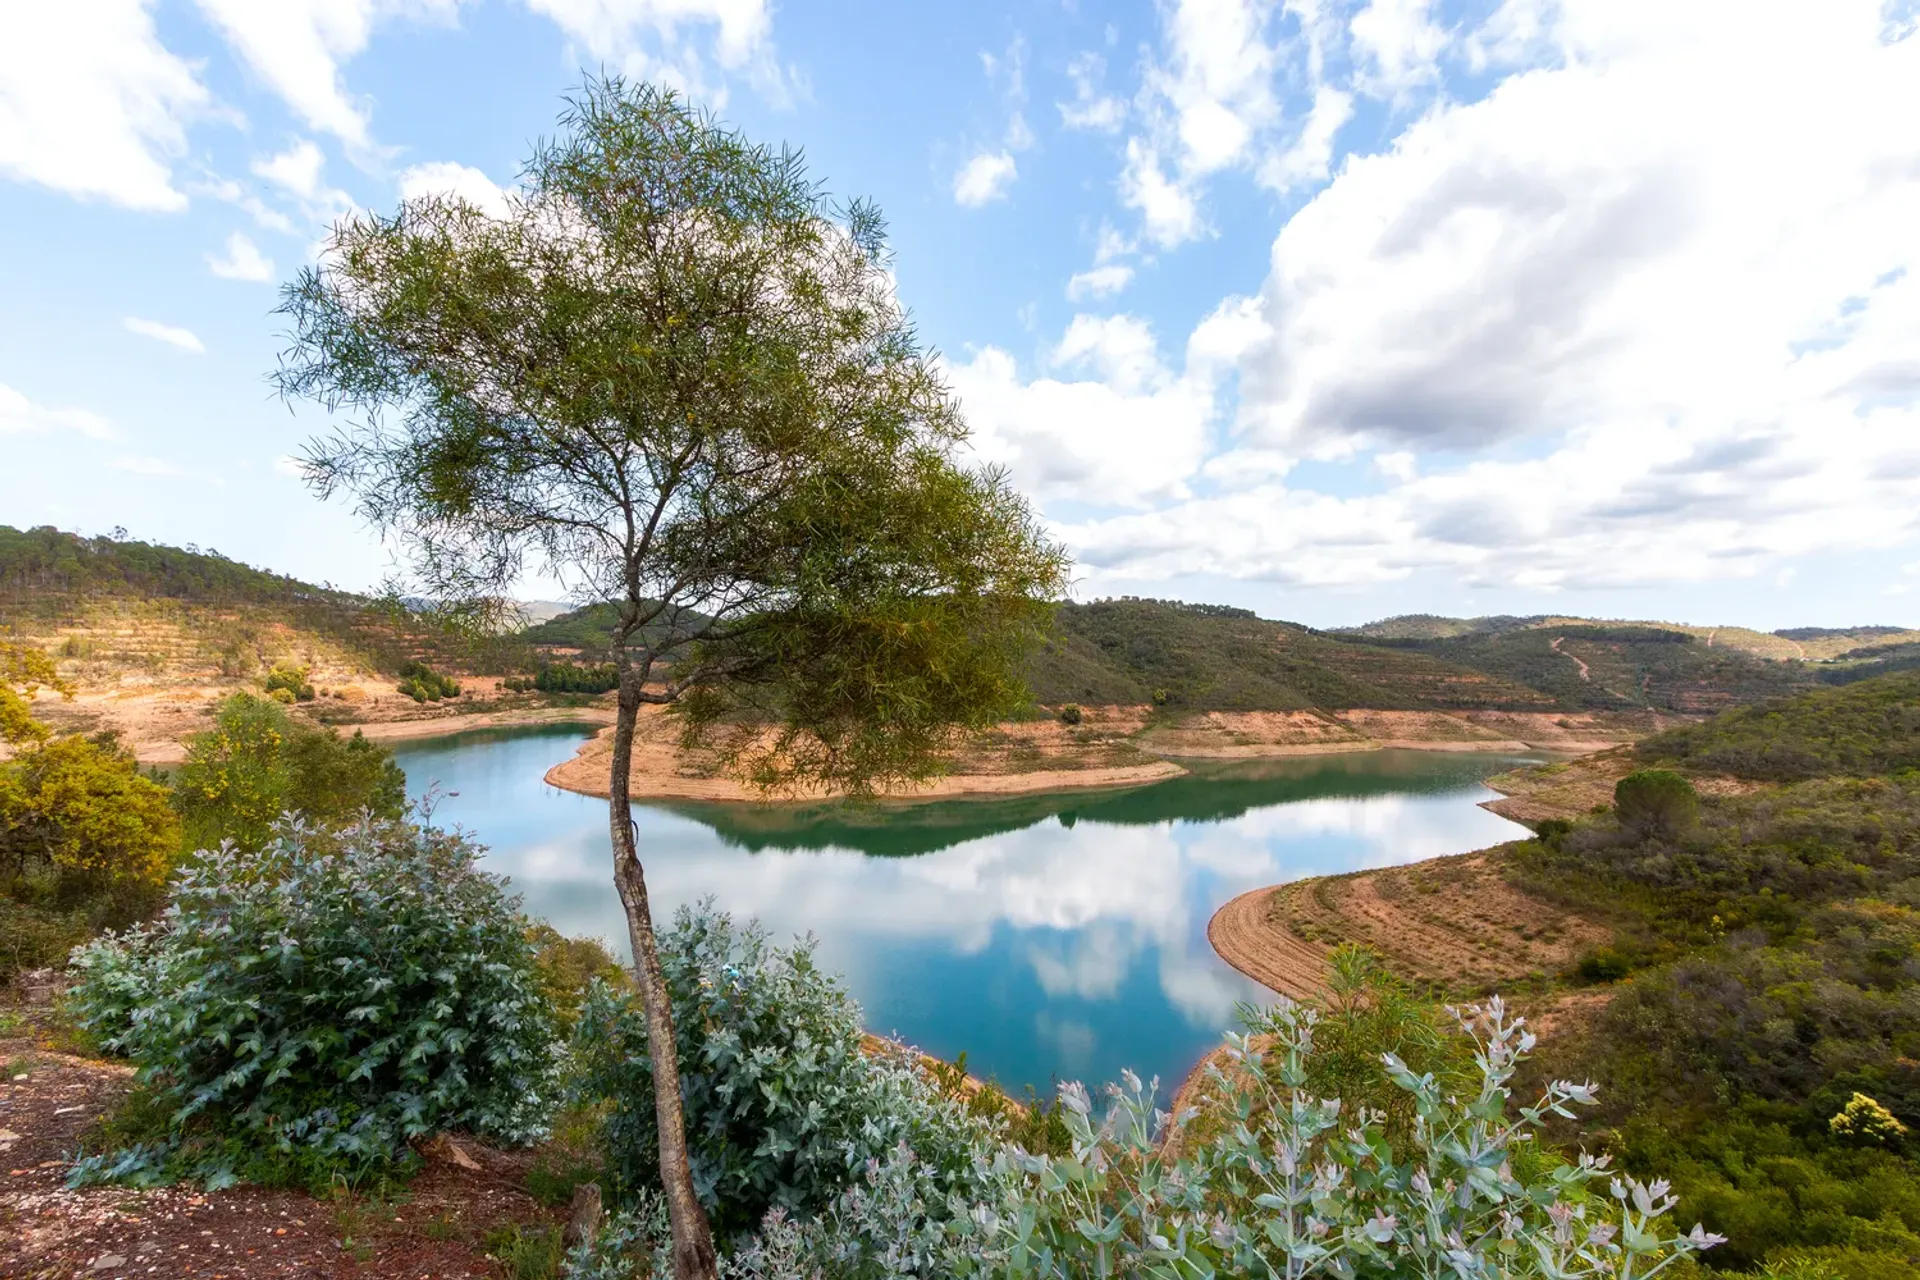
column 1297, row 1189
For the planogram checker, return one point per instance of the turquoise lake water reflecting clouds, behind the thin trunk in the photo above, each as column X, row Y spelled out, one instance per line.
column 1049, row 937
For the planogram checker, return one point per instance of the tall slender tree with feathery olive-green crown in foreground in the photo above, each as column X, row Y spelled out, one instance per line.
column 677, row 377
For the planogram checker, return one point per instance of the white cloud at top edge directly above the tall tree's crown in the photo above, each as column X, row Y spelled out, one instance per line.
column 675, row 41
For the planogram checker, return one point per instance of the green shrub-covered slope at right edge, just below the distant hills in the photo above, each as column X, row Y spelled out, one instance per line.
column 1861, row 730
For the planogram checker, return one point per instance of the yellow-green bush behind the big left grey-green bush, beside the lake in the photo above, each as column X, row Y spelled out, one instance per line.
column 258, row 763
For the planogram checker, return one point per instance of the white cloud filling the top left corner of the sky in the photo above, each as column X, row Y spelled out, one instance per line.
column 93, row 105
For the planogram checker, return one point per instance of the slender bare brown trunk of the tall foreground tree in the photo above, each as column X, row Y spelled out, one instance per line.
column 694, row 1244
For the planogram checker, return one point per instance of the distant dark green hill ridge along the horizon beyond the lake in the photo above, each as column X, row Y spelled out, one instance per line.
column 1188, row 659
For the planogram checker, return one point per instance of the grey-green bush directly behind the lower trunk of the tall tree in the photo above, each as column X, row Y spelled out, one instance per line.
column 784, row 1102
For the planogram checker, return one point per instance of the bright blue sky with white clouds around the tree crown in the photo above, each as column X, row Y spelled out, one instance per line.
column 1324, row 308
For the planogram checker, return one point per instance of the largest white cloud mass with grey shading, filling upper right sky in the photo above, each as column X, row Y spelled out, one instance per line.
column 1637, row 314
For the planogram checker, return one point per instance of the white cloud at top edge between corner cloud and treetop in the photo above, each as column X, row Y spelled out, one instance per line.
column 297, row 47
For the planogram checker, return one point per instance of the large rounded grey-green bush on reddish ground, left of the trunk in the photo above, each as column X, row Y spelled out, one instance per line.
column 308, row 1010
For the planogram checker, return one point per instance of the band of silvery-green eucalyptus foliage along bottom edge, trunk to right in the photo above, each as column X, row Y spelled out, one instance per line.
column 1301, row 1185
